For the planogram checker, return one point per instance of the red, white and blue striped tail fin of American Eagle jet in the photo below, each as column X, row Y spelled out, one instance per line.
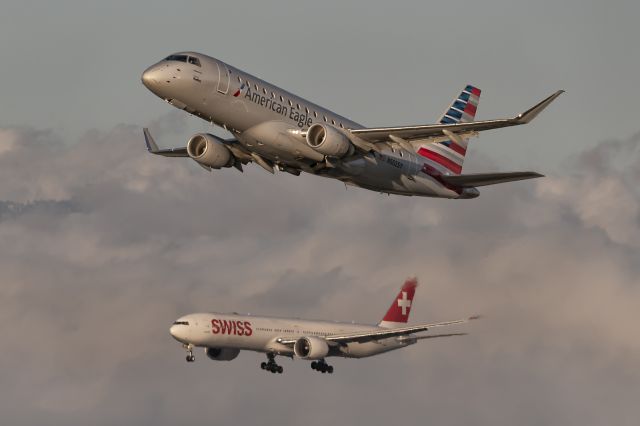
column 447, row 156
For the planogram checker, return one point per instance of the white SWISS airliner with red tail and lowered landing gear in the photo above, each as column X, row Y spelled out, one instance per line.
column 223, row 336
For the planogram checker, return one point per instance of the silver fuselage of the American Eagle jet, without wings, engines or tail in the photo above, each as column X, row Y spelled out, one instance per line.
column 269, row 121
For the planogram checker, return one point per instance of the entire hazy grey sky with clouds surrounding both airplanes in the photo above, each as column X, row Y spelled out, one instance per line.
column 102, row 246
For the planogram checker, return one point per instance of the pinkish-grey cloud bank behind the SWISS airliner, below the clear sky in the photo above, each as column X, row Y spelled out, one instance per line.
column 102, row 246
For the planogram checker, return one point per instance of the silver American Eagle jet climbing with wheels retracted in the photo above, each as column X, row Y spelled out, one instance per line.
column 277, row 129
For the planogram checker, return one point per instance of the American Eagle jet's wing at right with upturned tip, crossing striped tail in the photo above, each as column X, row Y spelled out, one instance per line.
column 380, row 134
